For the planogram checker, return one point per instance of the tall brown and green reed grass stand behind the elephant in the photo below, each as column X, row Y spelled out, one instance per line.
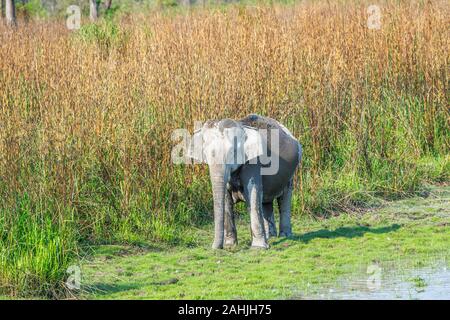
column 86, row 119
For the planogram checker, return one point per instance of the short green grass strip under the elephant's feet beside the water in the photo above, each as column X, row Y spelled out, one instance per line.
column 410, row 233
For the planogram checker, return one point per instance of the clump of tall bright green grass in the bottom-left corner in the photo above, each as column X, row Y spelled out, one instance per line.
column 34, row 251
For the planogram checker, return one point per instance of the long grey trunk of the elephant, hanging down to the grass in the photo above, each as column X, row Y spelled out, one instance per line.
column 219, row 178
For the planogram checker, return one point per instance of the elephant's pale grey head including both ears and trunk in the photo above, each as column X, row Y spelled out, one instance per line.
column 224, row 145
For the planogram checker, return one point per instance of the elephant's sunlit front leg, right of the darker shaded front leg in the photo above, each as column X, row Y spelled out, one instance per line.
column 253, row 194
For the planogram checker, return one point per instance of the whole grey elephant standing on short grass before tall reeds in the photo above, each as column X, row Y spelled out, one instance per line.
column 254, row 160
